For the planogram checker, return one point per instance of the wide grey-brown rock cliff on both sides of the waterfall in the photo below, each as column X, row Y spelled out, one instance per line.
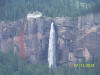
column 75, row 38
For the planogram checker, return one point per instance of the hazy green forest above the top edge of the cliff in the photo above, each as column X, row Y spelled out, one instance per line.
column 16, row 9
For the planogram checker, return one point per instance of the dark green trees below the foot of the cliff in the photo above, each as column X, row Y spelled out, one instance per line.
column 14, row 65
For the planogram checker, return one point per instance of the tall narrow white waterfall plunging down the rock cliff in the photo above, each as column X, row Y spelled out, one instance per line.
column 52, row 48
